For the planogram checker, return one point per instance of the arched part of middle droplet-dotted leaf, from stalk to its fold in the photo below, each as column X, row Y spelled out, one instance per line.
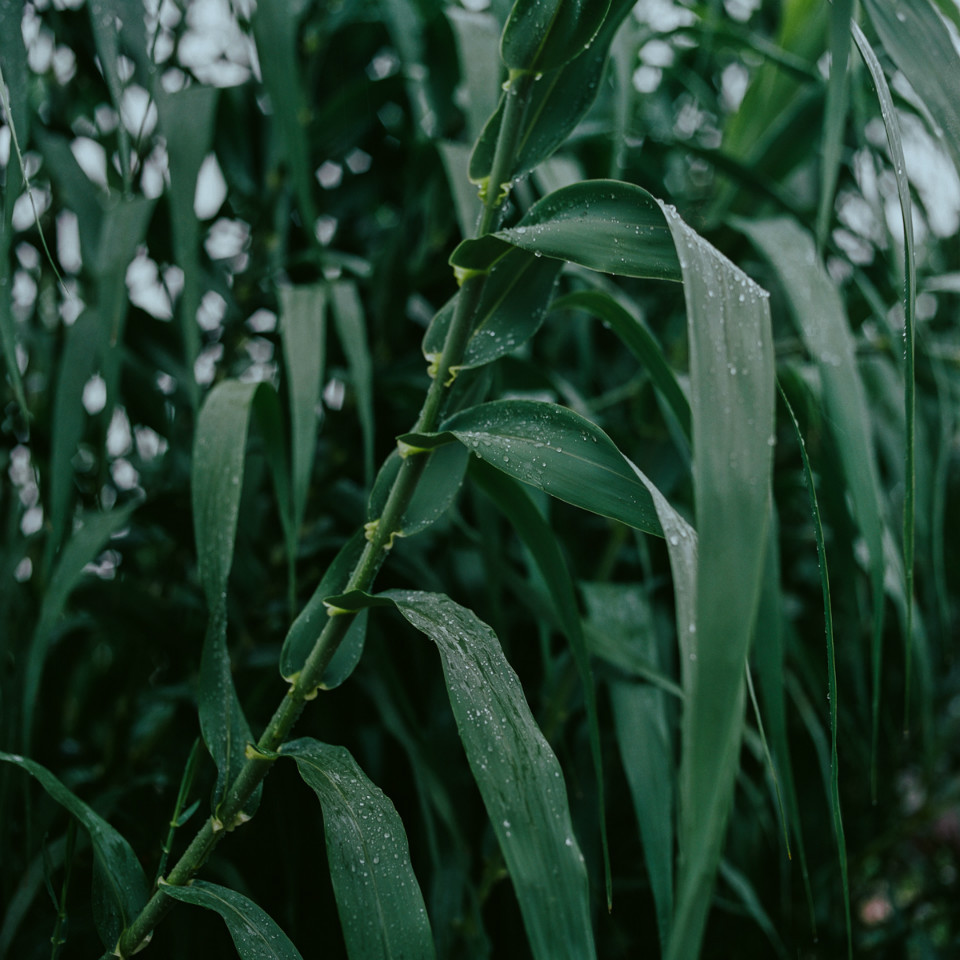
column 557, row 451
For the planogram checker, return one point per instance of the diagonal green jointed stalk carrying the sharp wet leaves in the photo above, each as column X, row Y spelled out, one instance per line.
column 380, row 539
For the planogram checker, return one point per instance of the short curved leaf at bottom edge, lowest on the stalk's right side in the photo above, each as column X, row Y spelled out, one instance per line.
column 255, row 934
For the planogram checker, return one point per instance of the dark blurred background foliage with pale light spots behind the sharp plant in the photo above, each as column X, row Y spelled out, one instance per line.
column 229, row 153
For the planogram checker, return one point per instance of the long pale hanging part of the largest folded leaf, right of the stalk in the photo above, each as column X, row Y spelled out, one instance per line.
column 732, row 403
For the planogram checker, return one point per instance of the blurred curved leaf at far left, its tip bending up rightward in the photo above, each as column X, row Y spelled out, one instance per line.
column 88, row 539
